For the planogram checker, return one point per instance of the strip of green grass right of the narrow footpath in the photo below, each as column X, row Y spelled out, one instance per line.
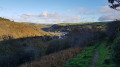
column 104, row 55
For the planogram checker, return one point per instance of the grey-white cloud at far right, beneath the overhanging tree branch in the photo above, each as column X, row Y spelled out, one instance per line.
column 109, row 14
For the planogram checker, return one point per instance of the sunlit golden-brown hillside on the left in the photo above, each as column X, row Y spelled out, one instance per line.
column 10, row 29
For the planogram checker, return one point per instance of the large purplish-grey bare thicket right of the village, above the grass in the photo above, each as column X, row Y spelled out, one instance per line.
column 84, row 36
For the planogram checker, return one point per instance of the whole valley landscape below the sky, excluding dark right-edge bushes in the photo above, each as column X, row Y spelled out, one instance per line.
column 81, row 45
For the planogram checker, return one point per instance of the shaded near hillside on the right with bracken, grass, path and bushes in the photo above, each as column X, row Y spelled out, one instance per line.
column 100, row 48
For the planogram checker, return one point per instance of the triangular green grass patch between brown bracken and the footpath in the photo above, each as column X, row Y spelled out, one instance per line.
column 83, row 59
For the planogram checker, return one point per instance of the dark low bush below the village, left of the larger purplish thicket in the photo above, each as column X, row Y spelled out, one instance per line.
column 57, row 45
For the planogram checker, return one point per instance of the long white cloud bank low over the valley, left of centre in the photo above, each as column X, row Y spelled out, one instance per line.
column 48, row 17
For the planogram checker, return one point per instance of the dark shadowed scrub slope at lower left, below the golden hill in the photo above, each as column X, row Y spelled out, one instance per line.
column 17, row 51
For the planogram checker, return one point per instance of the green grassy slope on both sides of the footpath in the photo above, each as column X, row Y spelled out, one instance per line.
column 84, row 59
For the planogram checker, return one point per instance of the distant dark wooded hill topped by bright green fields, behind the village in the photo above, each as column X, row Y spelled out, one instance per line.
column 65, row 27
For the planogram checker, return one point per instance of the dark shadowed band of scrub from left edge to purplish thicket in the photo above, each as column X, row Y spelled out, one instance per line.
column 17, row 51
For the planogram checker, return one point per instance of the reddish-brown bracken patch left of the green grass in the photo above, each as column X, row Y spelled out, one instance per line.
column 55, row 59
